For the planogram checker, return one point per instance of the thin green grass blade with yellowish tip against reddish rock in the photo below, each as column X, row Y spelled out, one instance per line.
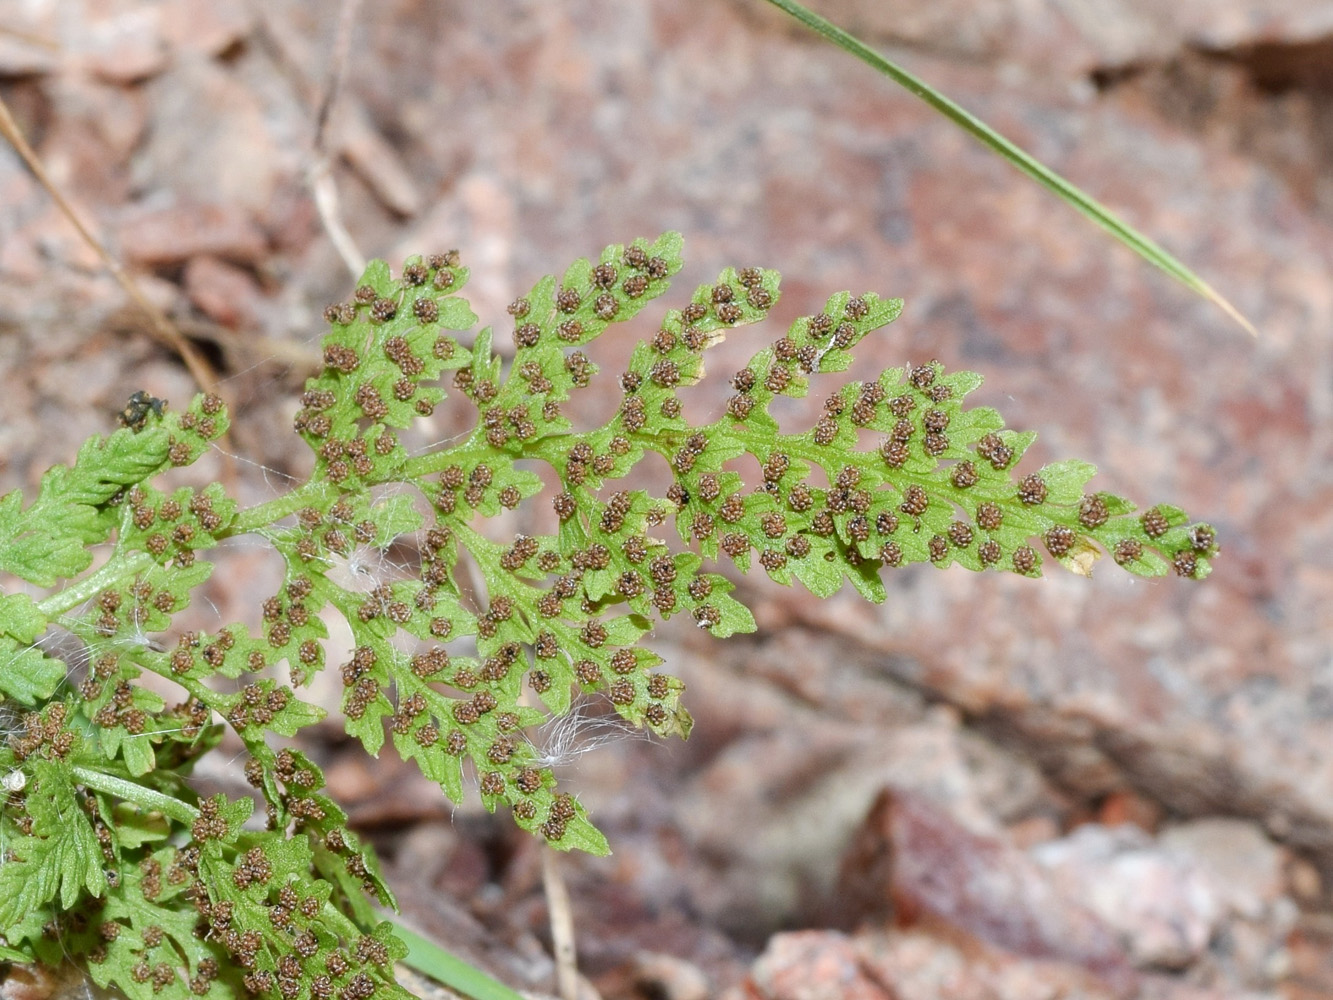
column 1144, row 247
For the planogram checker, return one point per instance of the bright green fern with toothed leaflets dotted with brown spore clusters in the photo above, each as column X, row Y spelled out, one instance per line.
column 113, row 859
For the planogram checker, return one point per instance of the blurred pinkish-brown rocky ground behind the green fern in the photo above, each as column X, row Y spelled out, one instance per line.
column 987, row 787
